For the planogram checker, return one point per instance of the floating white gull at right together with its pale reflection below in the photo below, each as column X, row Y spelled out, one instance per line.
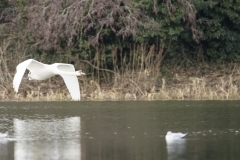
column 176, row 145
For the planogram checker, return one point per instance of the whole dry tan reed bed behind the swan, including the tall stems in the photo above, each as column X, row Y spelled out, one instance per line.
column 136, row 74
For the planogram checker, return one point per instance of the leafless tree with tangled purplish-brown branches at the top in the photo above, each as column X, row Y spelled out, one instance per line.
column 56, row 23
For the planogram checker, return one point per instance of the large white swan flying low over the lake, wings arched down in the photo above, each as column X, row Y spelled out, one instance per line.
column 41, row 71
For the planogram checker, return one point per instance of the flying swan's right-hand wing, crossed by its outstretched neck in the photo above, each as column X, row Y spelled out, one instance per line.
column 70, row 81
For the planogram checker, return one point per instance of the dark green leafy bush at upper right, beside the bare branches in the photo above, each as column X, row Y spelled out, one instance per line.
column 212, row 35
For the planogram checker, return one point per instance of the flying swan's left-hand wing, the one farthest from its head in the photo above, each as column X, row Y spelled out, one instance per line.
column 21, row 68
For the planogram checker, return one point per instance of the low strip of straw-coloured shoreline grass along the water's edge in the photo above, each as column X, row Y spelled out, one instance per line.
column 178, row 87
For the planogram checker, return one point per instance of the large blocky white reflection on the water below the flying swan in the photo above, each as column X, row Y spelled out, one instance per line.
column 47, row 139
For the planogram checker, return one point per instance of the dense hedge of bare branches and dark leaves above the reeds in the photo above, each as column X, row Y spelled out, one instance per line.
column 193, row 29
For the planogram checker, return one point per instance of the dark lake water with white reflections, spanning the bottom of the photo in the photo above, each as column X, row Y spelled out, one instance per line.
column 129, row 130
